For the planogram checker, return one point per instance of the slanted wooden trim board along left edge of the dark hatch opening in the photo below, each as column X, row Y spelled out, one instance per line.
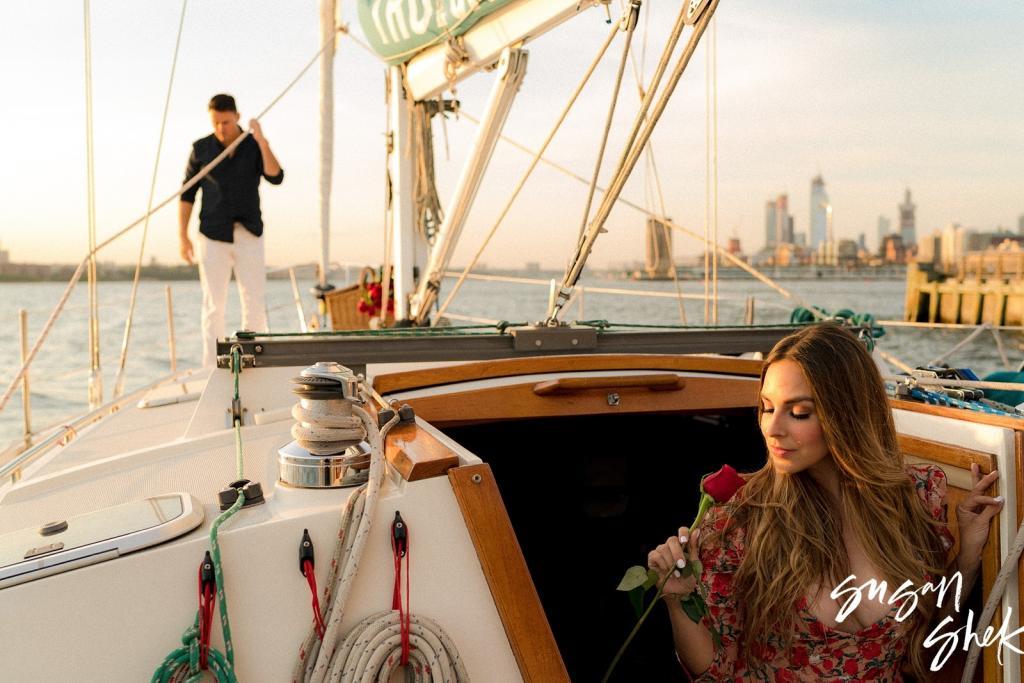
column 505, row 570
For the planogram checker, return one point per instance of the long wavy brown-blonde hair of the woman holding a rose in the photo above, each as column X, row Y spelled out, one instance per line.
column 794, row 529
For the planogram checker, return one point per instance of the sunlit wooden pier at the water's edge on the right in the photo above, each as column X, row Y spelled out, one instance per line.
column 988, row 287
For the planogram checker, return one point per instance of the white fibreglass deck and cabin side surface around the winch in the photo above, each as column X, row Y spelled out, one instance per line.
column 130, row 613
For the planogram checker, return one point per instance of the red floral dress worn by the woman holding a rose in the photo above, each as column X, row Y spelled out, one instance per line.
column 820, row 653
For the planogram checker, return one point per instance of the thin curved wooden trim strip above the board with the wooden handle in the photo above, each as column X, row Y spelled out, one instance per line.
column 418, row 379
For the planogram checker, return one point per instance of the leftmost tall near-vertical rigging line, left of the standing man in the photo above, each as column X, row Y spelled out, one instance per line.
column 96, row 376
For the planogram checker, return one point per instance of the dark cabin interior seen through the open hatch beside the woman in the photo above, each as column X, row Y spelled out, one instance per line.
column 590, row 497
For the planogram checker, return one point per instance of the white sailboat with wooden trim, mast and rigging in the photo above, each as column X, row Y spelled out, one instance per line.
column 458, row 501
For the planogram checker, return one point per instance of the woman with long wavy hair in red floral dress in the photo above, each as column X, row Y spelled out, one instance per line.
column 834, row 500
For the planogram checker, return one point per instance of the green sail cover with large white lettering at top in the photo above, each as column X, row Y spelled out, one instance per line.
column 399, row 29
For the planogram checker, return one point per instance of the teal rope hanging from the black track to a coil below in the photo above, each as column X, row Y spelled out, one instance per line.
column 184, row 663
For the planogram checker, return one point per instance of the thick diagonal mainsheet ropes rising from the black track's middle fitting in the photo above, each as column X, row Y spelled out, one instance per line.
column 631, row 153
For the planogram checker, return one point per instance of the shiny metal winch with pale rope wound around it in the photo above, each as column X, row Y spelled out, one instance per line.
column 330, row 449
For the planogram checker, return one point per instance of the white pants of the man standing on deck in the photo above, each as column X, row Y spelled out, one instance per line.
column 217, row 261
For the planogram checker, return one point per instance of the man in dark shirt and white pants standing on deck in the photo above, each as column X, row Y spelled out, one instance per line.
column 230, row 223
